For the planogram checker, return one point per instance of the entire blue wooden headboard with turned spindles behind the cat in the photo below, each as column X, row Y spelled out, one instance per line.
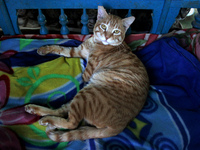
column 164, row 11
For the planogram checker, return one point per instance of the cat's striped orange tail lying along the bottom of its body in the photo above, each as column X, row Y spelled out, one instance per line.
column 82, row 133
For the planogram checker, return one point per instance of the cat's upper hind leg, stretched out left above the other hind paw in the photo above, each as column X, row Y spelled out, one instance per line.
column 43, row 111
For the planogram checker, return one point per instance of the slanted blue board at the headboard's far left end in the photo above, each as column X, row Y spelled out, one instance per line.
column 5, row 22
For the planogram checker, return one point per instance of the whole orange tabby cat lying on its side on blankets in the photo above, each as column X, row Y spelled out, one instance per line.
column 117, row 88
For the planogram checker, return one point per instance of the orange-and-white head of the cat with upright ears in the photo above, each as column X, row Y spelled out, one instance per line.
column 110, row 29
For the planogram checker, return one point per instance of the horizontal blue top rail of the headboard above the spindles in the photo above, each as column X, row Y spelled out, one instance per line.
column 80, row 4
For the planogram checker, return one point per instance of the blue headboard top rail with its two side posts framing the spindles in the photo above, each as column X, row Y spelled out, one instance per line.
column 155, row 5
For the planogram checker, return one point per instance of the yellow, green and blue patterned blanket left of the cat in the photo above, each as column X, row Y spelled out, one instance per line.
column 26, row 77
